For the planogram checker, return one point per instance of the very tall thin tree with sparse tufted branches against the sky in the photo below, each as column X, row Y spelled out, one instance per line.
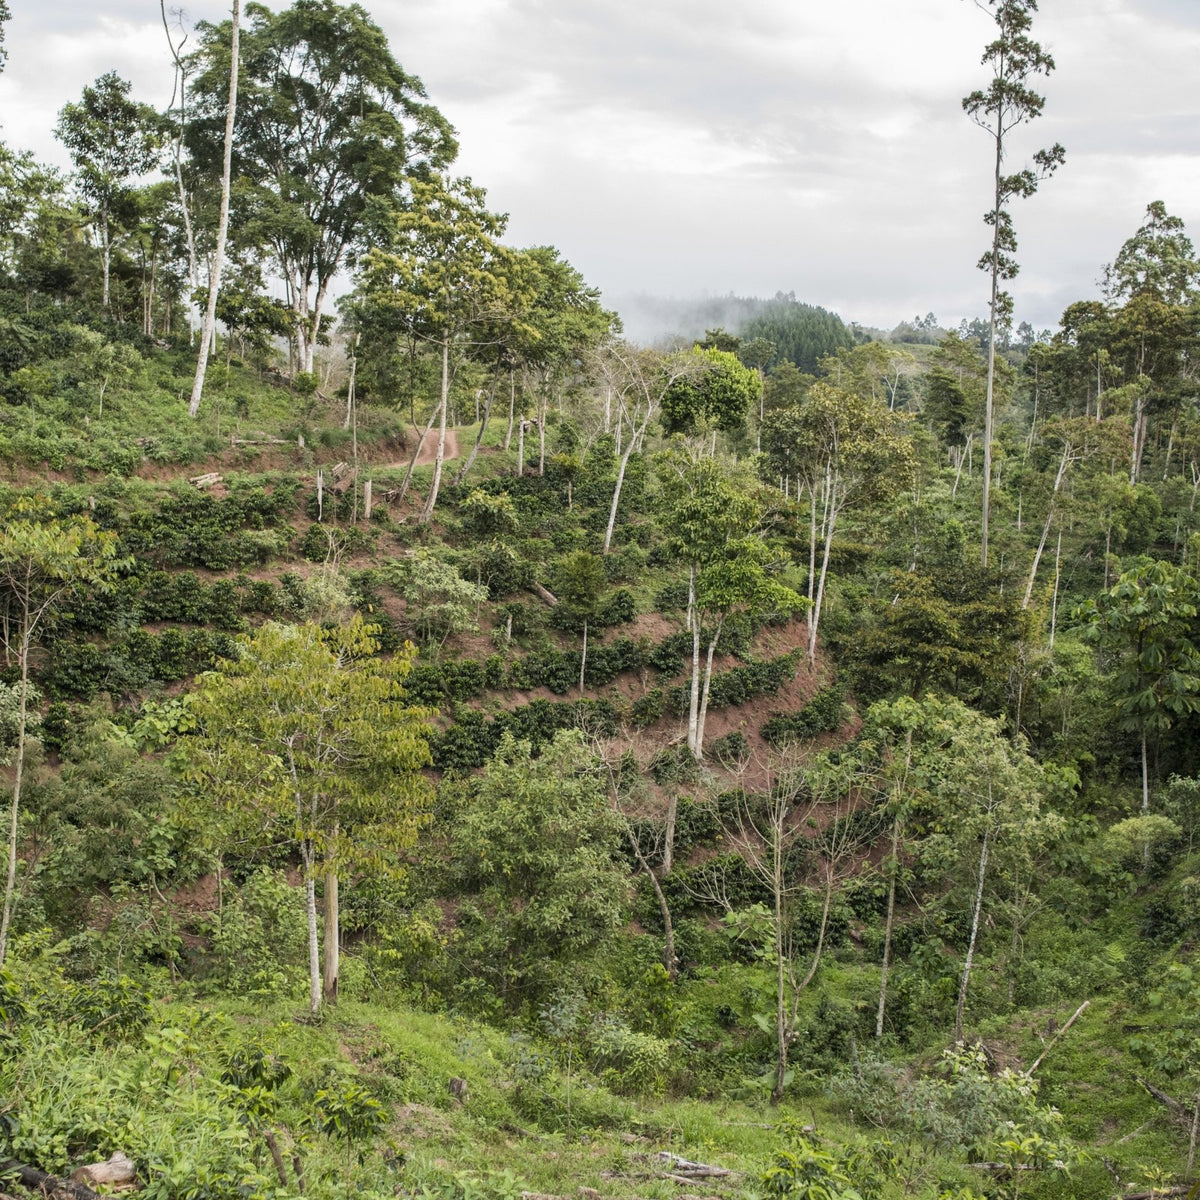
column 1009, row 103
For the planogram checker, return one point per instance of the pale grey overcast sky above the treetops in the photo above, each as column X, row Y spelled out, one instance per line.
column 681, row 148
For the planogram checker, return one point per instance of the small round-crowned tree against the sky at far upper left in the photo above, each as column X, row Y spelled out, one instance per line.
column 112, row 140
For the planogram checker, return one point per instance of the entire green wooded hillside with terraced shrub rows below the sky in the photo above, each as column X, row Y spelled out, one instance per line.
column 452, row 751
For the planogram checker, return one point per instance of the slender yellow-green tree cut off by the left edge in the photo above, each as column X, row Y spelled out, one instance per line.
column 45, row 560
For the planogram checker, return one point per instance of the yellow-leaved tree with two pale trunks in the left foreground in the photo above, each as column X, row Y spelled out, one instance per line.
column 308, row 736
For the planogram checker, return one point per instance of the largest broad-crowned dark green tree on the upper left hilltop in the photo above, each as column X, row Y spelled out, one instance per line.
column 327, row 122
